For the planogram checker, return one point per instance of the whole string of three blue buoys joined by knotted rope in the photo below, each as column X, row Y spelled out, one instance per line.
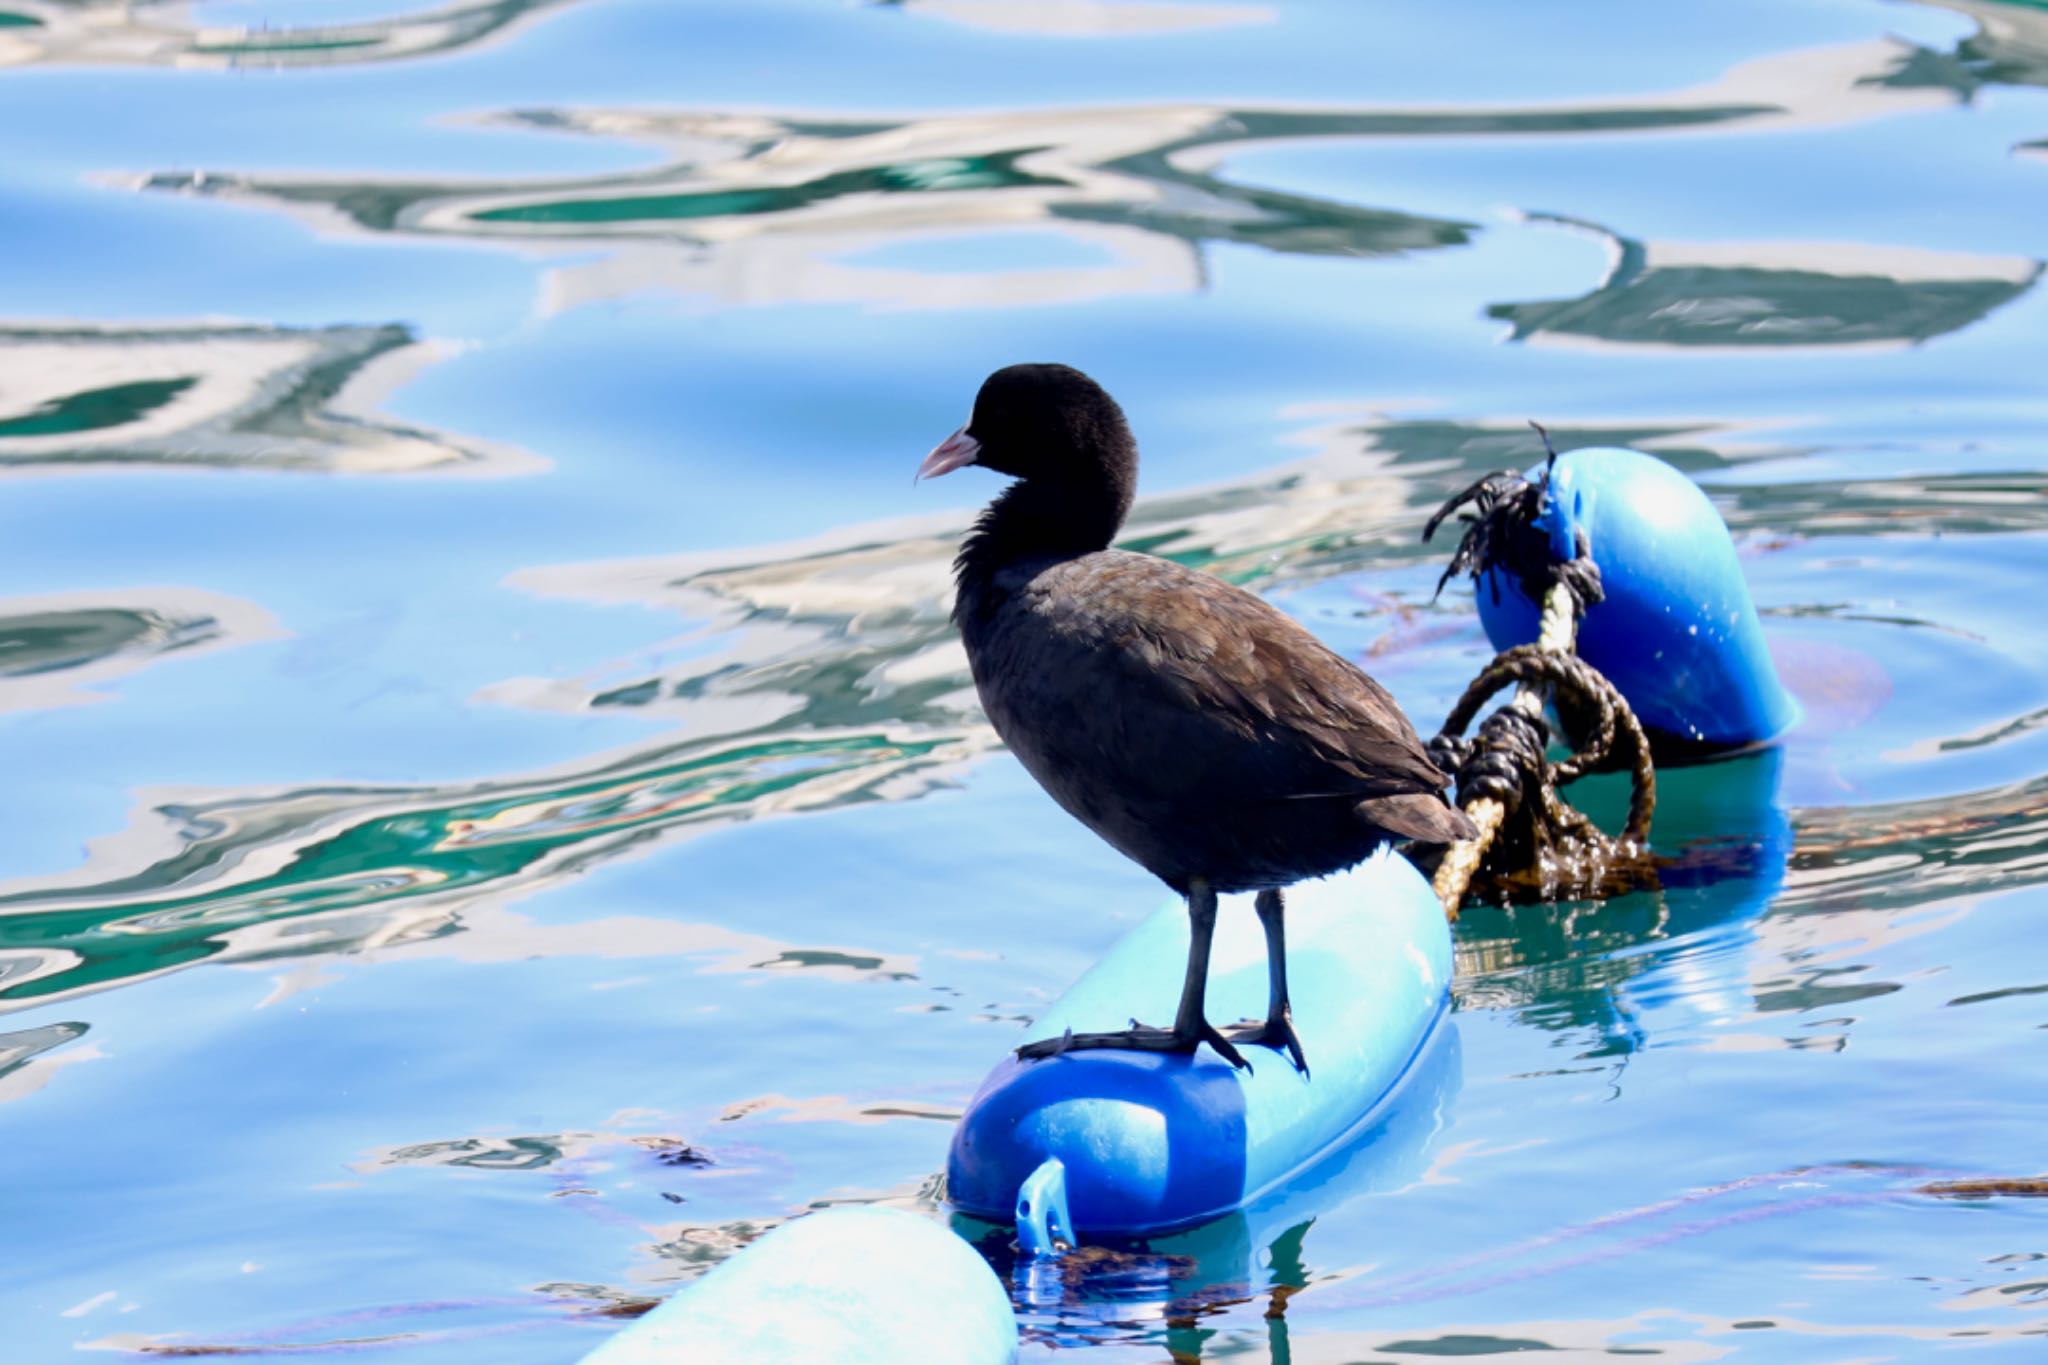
column 1611, row 588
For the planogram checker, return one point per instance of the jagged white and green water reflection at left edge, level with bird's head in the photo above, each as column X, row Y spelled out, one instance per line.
column 224, row 398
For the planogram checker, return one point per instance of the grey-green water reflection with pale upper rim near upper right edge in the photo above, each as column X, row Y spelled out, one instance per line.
column 1773, row 294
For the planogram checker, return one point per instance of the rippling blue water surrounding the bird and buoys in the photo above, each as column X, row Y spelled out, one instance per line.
column 495, row 811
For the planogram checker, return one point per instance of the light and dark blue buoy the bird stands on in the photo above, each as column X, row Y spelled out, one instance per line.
column 1150, row 1143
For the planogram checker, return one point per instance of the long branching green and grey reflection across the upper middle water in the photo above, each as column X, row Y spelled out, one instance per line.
column 1125, row 167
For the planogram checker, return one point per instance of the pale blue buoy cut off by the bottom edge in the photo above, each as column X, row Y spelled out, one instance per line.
column 853, row 1286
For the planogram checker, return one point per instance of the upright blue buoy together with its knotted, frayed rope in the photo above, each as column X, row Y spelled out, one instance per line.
column 1635, row 552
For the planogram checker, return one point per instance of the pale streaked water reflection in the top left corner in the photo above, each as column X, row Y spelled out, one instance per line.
column 167, row 34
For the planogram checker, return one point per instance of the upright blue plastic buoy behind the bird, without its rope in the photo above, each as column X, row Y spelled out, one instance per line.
column 1676, row 631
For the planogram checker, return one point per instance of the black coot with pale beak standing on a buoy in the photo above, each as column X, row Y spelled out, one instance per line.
column 1195, row 728
